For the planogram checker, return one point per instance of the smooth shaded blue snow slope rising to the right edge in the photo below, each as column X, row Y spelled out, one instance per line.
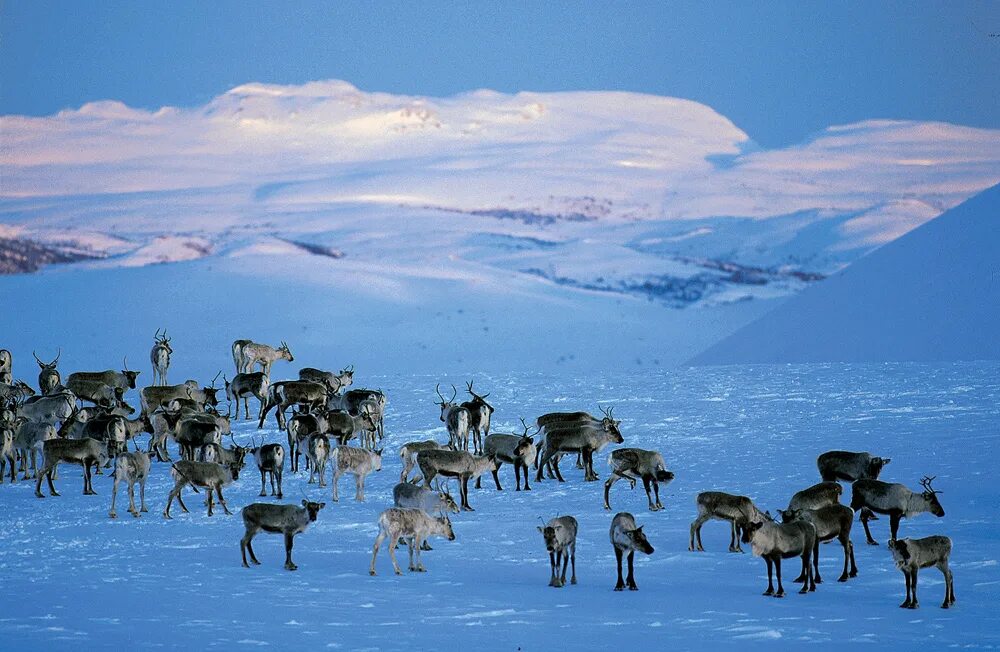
column 931, row 295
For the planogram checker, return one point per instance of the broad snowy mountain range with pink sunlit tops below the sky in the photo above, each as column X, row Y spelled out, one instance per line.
column 626, row 194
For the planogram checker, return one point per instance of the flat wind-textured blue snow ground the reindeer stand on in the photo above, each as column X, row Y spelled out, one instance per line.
column 79, row 579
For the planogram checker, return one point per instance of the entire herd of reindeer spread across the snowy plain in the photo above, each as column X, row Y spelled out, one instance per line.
column 86, row 421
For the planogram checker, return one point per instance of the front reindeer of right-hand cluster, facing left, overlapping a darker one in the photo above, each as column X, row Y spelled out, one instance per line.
column 774, row 542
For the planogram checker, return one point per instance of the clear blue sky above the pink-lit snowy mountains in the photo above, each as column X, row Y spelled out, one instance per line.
column 780, row 71
